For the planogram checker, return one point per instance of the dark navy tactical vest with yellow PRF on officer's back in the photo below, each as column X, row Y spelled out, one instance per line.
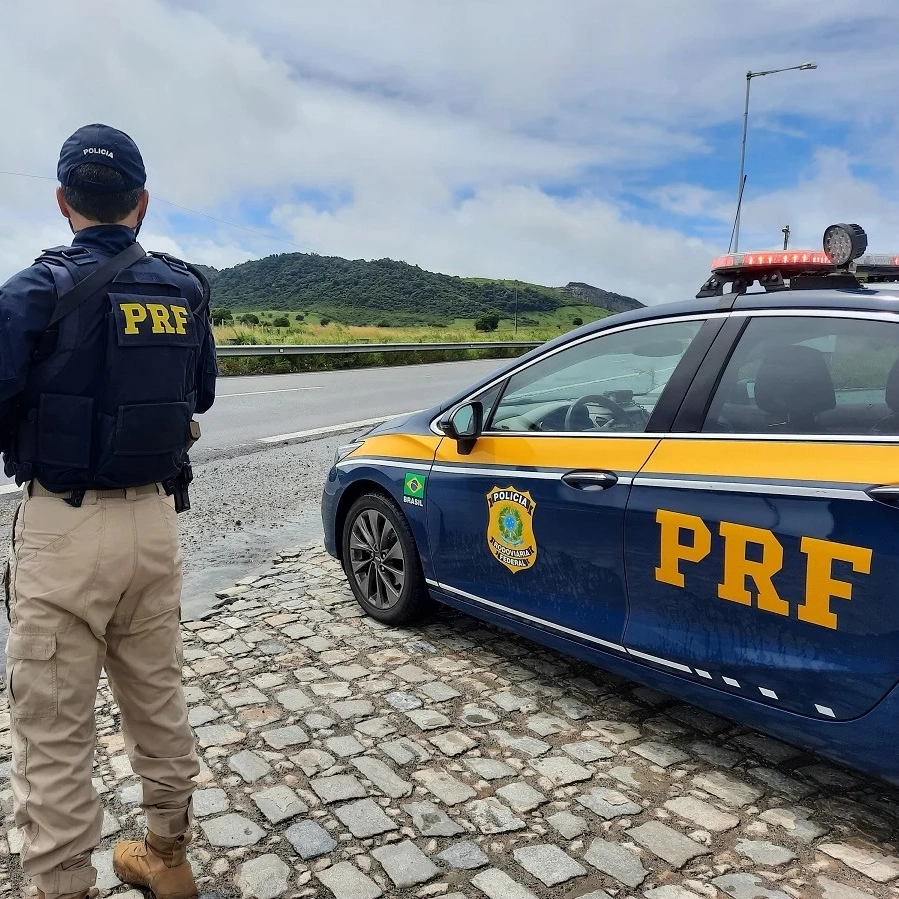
column 112, row 388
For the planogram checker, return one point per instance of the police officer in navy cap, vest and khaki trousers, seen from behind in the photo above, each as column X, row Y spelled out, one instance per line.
column 105, row 355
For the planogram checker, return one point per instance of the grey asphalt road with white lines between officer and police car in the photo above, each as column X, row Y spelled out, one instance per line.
column 252, row 497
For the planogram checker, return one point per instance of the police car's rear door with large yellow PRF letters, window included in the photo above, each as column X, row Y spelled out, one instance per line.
column 762, row 540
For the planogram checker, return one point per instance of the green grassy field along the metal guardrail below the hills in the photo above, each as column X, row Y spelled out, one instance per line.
column 532, row 327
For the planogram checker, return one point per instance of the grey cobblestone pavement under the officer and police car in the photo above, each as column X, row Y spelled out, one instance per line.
column 342, row 758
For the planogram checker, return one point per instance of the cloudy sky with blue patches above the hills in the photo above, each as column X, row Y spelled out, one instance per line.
column 545, row 140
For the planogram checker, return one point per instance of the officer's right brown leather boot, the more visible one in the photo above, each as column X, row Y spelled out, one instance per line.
column 157, row 863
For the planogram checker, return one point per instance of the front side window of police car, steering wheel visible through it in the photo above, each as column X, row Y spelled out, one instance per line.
column 609, row 383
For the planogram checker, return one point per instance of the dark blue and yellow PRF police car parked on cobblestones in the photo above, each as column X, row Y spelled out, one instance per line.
column 702, row 496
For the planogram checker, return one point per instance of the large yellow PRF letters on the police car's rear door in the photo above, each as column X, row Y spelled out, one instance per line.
column 686, row 539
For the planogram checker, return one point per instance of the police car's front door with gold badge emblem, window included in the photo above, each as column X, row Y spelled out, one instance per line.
column 529, row 523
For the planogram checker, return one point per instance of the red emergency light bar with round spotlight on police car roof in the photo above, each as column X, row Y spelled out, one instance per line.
column 842, row 263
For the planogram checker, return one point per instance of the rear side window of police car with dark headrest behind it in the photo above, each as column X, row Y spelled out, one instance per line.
column 810, row 375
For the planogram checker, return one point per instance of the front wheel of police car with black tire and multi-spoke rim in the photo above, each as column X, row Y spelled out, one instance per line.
column 381, row 561
